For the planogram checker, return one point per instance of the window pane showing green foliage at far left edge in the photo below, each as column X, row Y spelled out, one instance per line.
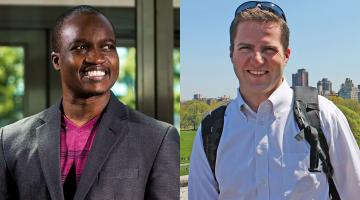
column 11, row 84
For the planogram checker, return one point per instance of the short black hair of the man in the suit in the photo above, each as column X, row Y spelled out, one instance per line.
column 78, row 10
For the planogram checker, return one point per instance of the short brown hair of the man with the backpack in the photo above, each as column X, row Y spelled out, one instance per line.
column 259, row 15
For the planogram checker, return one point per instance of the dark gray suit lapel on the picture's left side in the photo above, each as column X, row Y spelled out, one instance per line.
column 49, row 150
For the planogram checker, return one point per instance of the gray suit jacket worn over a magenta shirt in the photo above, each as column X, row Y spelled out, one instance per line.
column 133, row 157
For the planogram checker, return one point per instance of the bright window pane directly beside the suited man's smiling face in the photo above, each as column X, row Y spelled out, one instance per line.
column 124, row 88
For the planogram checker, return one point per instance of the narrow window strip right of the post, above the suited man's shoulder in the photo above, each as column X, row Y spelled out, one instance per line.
column 176, row 63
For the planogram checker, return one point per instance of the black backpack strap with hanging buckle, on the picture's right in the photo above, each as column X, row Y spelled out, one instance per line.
column 306, row 110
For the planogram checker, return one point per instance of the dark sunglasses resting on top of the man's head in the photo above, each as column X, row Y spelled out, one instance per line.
column 265, row 5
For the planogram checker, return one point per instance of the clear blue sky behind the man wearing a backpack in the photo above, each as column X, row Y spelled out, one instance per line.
column 324, row 39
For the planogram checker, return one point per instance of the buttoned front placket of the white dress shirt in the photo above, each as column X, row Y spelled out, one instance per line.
column 262, row 154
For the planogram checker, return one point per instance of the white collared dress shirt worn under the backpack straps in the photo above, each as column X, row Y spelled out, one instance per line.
column 259, row 158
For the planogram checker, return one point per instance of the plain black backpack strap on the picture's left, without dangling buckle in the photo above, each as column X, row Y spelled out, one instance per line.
column 211, row 130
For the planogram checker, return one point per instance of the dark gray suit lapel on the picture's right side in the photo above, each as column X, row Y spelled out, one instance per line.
column 112, row 127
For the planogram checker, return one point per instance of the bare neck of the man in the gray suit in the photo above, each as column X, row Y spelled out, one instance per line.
column 81, row 110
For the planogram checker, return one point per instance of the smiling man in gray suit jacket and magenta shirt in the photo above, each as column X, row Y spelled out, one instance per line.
column 88, row 145
